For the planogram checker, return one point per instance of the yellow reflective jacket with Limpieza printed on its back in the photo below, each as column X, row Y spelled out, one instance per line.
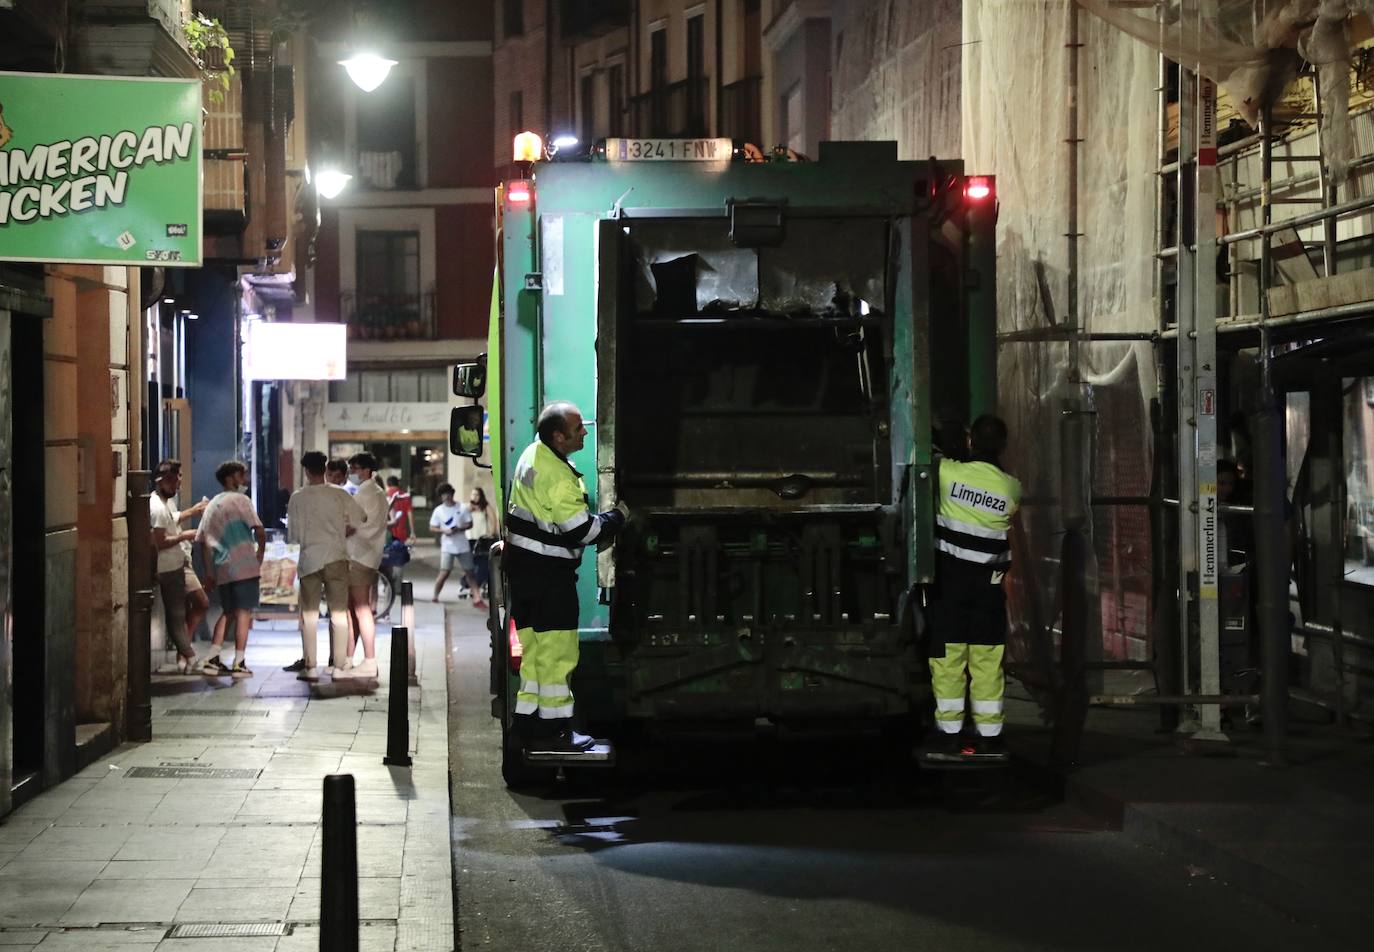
column 978, row 502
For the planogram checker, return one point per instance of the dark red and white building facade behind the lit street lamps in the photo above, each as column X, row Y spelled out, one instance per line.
column 406, row 252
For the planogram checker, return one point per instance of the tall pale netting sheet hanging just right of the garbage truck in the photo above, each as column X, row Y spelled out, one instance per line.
column 1016, row 97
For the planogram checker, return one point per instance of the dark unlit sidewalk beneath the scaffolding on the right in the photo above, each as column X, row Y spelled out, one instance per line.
column 1298, row 837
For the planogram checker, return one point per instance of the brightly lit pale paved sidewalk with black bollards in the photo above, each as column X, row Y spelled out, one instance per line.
column 215, row 826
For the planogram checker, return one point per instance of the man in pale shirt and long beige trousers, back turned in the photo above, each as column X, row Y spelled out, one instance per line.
column 319, row 520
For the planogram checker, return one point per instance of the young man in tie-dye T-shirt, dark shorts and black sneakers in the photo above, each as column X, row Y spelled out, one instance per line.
column 233, row 543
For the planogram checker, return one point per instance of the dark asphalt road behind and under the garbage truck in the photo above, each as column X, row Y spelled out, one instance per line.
column 762, row 850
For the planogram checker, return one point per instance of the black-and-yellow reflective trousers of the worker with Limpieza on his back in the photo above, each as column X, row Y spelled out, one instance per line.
column 968, row 637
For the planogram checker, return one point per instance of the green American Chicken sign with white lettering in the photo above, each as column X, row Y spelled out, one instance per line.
column 100, row 170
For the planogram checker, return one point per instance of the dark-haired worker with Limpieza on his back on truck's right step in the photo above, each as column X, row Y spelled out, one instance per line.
column 969, row 615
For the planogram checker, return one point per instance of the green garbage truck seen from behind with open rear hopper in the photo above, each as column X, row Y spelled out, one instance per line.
column 762, row 350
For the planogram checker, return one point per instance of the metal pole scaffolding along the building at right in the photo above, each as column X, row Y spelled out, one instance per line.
column 1263, row 262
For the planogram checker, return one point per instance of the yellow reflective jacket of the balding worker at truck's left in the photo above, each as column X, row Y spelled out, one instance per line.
column 549, row 512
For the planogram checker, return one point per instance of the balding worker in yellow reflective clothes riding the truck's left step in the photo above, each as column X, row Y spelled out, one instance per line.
column 548, row 525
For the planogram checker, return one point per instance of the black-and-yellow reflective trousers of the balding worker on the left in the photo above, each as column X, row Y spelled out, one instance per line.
column 543, row 601
